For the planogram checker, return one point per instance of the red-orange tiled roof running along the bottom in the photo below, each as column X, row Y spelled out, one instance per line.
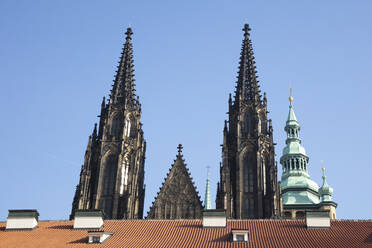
column 190, row 233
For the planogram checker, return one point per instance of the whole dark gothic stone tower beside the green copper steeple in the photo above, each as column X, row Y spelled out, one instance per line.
column 248, row 186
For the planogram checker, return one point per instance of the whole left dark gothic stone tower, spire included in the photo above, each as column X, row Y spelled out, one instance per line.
column 112, row 177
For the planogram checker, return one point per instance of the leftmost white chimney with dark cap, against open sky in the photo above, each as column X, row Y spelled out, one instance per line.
column 23, row 219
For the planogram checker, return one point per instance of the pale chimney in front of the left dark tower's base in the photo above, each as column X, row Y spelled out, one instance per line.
column 88, row 219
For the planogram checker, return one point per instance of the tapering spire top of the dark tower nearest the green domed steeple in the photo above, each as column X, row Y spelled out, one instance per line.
column 247, row 88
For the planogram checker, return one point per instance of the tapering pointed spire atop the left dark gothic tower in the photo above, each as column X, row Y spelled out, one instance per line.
column 123, row 91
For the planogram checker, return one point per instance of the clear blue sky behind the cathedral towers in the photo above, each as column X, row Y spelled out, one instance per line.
column 57, row 61
